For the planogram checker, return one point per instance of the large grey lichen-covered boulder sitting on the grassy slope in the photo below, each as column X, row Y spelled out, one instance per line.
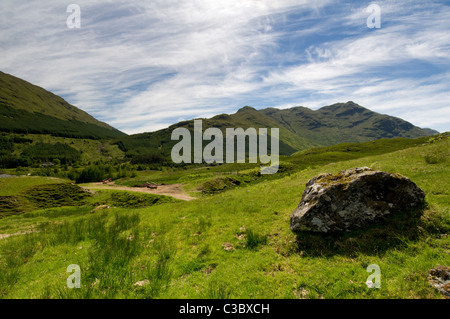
column 353, row 199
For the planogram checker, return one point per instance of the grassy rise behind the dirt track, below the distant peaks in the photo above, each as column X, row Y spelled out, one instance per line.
column 214, row 179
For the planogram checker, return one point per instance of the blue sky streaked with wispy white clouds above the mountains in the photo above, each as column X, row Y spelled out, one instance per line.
column 143, row 65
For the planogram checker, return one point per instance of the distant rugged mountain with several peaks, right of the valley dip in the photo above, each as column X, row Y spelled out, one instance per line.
column 300, row 128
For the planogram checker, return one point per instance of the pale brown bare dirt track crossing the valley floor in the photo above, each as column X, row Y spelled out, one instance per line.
column 174, row 190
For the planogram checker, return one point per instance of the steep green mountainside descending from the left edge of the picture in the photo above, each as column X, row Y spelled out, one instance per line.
column 27, row 108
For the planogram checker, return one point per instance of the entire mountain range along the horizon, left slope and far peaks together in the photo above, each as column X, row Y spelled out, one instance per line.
column 26, row 108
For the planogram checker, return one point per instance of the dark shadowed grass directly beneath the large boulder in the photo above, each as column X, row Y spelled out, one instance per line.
column 388, row 233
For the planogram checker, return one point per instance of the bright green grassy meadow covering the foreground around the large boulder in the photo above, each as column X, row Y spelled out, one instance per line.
column 234, row 242
